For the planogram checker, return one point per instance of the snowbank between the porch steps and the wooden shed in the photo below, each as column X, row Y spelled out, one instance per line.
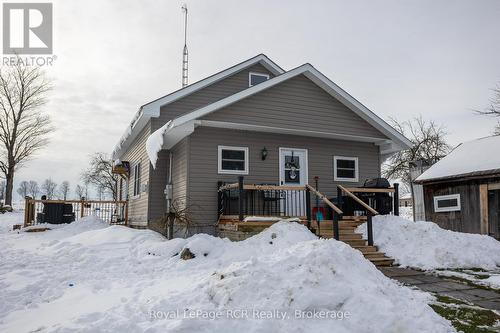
column 427, row 246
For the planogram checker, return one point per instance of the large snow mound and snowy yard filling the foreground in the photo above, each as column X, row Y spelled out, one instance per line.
column 88, row 276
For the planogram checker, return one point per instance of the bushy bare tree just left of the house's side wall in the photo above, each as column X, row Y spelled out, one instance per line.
column 99, row 174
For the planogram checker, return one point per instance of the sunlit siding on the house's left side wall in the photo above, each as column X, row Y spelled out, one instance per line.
column 138, row 205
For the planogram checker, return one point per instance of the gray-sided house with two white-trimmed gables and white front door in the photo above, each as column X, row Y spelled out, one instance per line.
column 251, row 119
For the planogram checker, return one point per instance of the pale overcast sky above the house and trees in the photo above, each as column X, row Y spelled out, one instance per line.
column 439, row 59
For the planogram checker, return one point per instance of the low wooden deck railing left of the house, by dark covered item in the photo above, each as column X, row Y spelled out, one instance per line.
column 38, row 211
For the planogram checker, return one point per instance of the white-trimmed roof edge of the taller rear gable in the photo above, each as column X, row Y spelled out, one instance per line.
column 152, row 109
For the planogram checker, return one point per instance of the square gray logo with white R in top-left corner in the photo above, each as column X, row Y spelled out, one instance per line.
column 27, row 28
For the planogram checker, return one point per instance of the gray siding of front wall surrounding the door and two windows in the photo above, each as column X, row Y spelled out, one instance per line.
column 203, row 173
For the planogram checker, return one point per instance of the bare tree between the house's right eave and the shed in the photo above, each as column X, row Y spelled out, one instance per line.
column 429, row 145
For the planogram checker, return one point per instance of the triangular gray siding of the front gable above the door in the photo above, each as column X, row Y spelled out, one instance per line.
column 299, row 104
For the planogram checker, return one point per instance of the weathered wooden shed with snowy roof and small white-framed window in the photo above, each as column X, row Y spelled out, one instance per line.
column 462, row 191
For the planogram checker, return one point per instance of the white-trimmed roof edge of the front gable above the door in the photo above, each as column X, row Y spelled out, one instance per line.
column 183, row 125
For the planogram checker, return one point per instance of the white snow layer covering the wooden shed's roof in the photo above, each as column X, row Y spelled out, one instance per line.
column 480, row 155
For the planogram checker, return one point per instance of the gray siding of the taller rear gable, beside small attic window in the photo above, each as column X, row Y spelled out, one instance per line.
column 224, row 88
